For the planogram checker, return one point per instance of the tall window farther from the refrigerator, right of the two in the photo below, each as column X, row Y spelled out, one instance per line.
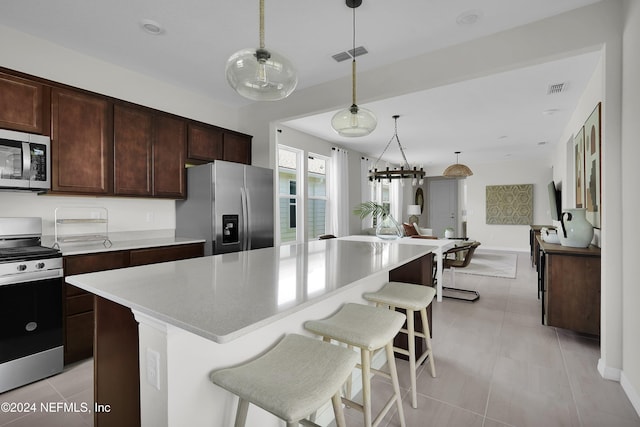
column 316, row 196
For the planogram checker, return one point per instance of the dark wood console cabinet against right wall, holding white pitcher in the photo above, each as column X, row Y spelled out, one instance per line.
column 570, row 285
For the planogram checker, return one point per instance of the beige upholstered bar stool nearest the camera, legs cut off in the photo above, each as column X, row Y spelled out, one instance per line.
column 291, row 381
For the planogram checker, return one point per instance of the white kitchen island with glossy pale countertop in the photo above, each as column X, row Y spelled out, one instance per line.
column 201, row 314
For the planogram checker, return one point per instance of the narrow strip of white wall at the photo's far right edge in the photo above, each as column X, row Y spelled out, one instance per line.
column 630, row 377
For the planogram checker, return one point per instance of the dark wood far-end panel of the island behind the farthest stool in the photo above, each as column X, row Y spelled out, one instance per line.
column 419, row 272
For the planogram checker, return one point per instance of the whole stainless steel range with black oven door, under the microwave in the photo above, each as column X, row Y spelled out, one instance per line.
column 30, row 304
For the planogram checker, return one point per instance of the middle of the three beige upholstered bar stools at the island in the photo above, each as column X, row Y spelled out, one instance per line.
column 368, row 328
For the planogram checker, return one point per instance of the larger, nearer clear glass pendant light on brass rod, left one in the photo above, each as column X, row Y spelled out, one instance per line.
column 261, row 74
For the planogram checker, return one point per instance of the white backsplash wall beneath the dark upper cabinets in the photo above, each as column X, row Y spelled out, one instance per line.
column 124, row 214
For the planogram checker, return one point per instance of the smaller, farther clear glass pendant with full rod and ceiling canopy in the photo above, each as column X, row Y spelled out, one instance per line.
column 354, row 121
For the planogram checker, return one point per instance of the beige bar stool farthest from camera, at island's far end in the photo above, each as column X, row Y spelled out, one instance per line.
column 410, row 298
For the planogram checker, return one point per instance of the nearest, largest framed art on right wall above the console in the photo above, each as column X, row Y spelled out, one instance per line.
column 592, row 167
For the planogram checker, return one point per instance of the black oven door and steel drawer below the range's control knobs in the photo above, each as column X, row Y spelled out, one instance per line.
column 30, row 332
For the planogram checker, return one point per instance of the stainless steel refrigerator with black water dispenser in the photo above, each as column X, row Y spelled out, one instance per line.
column 228, row 204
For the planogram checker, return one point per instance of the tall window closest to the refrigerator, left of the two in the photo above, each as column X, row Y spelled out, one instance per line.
column 288, row 197
